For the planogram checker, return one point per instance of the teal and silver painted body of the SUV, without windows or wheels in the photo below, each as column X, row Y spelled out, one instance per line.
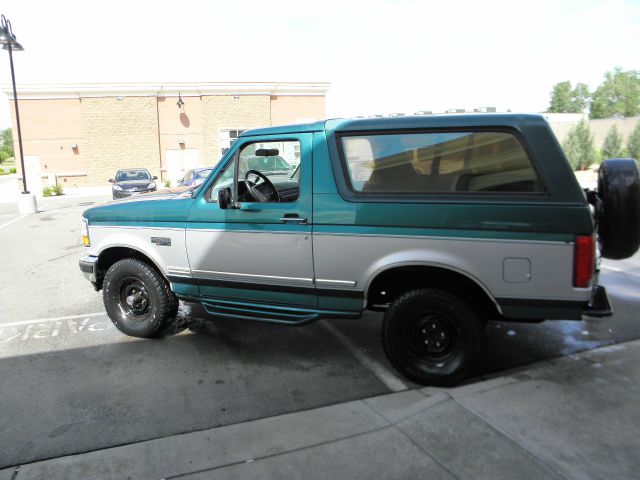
column 250, row 263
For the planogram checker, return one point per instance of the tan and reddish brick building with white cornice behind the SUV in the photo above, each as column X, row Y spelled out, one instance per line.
column 79, row 135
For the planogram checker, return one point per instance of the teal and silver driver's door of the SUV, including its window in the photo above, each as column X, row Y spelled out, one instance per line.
column 260, row 251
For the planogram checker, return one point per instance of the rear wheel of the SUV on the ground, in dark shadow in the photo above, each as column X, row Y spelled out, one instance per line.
column 432, row 337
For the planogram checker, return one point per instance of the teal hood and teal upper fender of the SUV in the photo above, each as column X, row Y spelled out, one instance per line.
column 167, row 206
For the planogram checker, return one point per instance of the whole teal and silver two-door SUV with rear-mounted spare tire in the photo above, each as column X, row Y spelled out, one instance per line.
column 444, row 223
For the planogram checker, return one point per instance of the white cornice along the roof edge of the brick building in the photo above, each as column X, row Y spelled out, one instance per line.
column 148, row 89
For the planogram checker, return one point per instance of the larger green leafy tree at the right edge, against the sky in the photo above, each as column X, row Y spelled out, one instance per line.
column 618, row 94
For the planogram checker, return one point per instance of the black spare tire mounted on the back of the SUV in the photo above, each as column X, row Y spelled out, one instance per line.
column 618, row 215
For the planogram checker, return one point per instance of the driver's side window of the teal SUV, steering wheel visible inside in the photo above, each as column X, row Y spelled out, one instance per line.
column 267, row 172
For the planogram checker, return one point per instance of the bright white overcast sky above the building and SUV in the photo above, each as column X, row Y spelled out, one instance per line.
column 381, row 56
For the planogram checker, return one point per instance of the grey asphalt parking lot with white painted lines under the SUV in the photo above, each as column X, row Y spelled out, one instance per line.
column 73, row 383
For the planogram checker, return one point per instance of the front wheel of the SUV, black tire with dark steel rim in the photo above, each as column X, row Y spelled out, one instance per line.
column 137, row 298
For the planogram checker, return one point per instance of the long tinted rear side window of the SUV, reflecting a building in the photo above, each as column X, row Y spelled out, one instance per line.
column 415, row 163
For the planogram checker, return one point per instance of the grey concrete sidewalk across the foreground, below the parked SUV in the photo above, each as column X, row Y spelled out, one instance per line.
column 575, row 417
